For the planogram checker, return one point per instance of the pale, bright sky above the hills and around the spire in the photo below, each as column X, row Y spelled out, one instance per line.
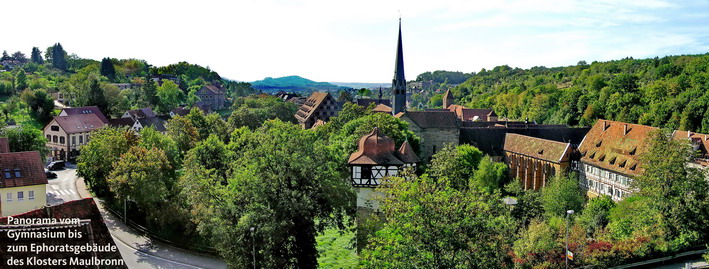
column 355, row 41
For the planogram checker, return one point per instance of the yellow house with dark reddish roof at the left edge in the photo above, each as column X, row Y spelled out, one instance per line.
column 23, row 184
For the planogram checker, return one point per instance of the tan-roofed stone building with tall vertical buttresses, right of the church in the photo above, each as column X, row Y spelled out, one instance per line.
column 534, row 160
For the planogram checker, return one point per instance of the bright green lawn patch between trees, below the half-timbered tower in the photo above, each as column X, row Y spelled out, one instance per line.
column 337, row 250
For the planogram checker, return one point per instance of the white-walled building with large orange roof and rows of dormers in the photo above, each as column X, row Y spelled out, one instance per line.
column 610, row 157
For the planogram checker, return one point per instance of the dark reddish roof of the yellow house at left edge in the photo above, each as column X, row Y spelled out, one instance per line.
column 29, row 166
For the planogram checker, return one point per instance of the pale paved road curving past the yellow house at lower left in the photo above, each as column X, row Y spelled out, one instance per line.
column 137, row 251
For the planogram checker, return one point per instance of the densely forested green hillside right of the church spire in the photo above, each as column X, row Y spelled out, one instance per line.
column 664, row 92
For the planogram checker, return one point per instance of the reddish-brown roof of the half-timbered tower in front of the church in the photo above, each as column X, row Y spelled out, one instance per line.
column 375, row 149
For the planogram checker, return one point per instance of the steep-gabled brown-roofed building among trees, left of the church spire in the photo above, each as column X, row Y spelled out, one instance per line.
column 319, row 106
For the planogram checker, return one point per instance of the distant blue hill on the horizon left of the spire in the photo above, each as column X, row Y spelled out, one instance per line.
column 294, row 84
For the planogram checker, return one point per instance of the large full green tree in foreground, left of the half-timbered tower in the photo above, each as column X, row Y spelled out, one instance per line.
column 285, row 185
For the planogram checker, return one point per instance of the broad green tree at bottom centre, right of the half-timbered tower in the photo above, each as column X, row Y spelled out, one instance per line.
column 432, row 225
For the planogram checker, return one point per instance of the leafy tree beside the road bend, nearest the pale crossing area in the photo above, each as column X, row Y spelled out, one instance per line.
column 97, row 157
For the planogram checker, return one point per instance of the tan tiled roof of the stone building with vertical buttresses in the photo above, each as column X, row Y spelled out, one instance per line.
column 542, row 149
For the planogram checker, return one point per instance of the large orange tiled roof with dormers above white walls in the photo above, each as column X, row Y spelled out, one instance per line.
column 616, row 146
